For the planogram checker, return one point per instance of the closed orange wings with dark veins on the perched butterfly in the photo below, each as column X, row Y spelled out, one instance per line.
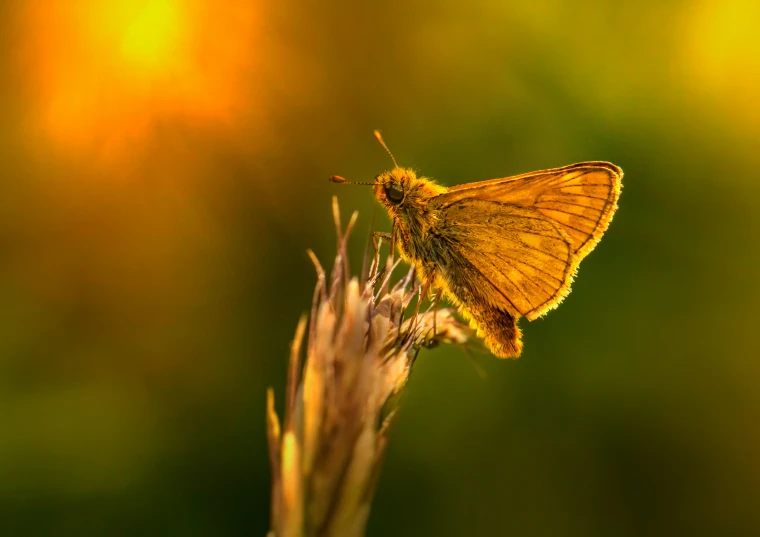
column 524, row 236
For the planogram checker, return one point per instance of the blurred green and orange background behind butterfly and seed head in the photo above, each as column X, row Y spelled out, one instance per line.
column 164, row 167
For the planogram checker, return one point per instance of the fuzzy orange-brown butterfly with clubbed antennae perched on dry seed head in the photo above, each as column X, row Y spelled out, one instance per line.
column 499, row 249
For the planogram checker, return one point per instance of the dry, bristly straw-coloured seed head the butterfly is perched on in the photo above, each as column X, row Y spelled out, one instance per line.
column 342, row 400
